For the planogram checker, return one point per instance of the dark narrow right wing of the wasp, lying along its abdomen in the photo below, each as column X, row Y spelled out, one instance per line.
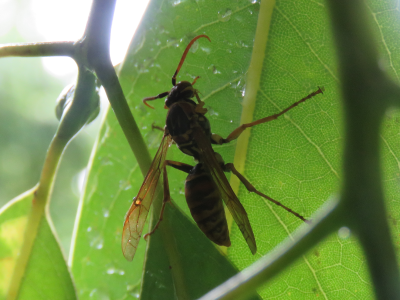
column 232, row 202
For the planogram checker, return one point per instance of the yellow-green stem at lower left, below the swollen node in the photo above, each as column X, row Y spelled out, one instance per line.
column 39, row 207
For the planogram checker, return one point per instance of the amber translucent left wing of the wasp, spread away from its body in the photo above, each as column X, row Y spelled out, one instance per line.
column 137, row 214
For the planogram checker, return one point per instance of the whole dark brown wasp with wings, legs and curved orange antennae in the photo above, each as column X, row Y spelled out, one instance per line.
column 206, row 183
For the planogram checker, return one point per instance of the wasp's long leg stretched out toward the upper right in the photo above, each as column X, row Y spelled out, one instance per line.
column 216, row 139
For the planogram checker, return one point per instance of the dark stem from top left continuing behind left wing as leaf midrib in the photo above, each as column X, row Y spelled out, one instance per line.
column 97, row 38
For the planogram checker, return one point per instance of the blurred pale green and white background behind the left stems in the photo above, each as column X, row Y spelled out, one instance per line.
column 29, row 88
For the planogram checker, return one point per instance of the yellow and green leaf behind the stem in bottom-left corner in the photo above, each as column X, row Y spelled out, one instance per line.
column 46, row 276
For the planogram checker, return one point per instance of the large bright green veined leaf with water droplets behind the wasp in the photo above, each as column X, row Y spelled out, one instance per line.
column 295, row 159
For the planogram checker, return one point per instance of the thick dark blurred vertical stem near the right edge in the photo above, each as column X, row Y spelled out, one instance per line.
column 366, row 94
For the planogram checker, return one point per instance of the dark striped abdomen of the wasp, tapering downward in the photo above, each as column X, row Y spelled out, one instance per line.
column 205, row 204
